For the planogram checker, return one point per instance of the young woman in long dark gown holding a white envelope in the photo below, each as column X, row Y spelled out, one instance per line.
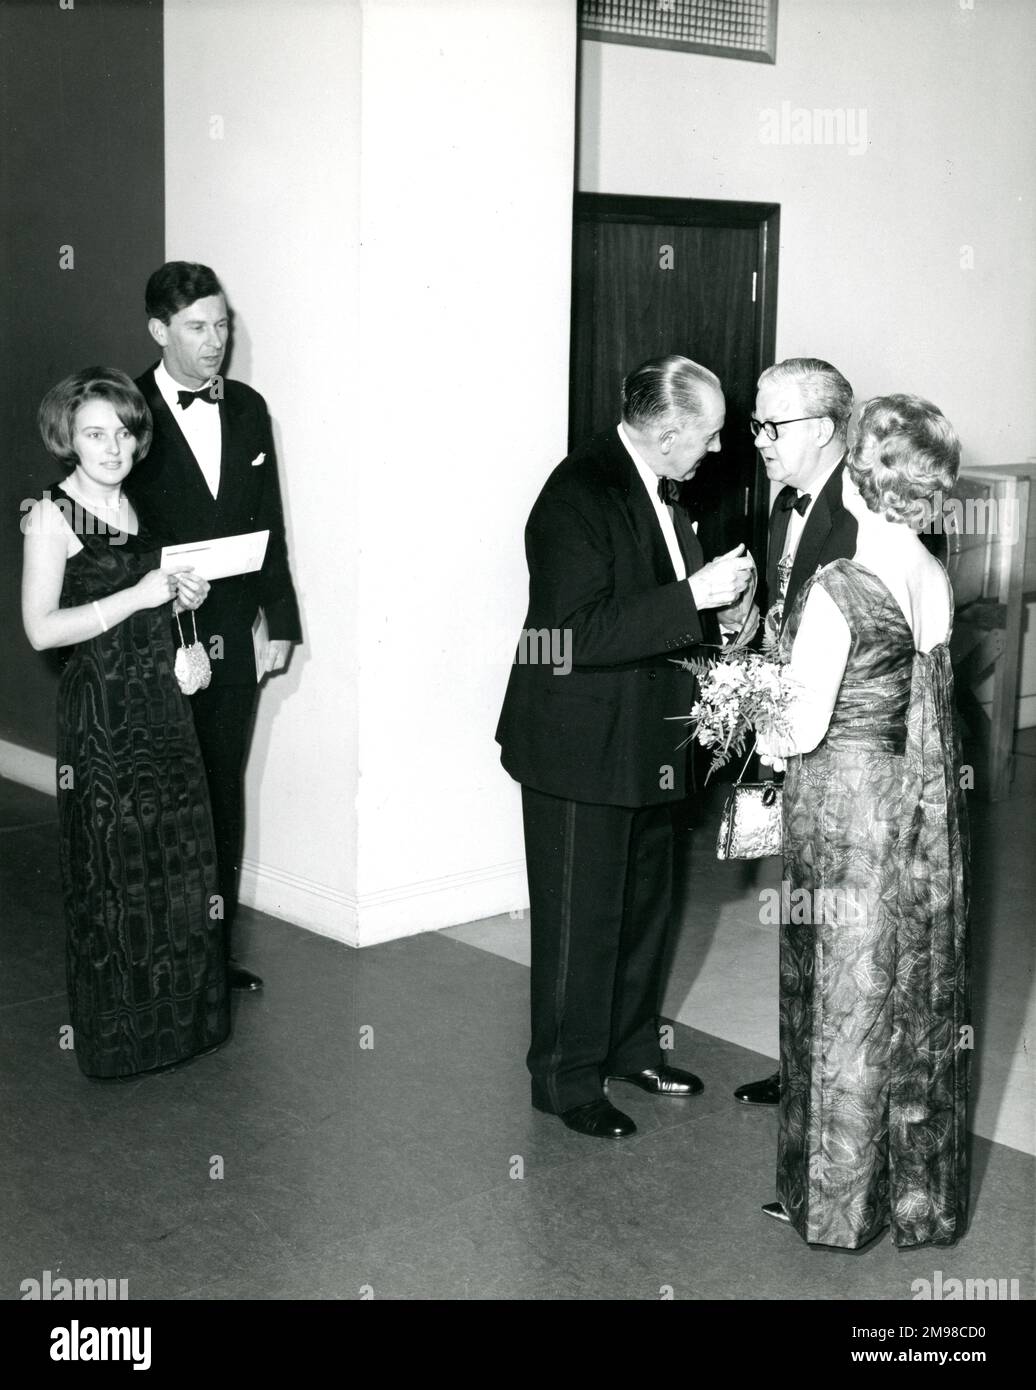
column 145, row 951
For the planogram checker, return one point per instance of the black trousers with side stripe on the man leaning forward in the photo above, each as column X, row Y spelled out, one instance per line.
column 600, row 882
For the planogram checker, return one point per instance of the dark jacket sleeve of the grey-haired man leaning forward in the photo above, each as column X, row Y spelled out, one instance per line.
column 572, row 587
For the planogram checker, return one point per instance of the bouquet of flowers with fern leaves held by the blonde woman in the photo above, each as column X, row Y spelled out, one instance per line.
column 740, row 693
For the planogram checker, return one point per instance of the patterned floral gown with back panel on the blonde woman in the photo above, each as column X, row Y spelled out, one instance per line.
column 874, row 964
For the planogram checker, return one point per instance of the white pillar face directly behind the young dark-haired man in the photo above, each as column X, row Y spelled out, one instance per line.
column 273, row 208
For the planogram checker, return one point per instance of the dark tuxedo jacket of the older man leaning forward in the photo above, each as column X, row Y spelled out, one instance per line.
column 600, row 576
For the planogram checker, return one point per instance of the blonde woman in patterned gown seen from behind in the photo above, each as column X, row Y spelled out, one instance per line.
column 874, row 988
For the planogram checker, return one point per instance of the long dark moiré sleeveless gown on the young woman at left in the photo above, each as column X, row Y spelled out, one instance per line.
column 145, row 947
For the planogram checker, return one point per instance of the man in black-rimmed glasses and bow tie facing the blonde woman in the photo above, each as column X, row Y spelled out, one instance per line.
column 803, row 408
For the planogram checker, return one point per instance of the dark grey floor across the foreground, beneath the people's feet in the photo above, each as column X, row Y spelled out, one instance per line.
column 410, row 1170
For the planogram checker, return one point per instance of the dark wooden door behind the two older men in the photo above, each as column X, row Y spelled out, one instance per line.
column 679, row 276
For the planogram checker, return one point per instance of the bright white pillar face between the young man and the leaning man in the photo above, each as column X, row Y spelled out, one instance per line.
column 468, row 179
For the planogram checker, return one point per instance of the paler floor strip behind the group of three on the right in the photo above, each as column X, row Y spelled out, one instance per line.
column 724, row 972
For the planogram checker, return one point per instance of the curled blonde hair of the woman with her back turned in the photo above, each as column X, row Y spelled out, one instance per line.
column 905, row 454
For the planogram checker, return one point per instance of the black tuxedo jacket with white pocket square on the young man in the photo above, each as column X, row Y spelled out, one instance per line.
column 173, row 501
